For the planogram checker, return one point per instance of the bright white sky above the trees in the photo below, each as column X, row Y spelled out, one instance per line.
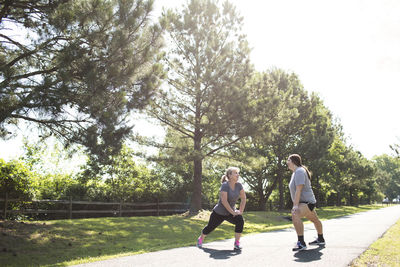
column 347, row 51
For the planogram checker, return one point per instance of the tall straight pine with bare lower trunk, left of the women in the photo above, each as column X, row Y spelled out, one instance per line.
column 208, row 65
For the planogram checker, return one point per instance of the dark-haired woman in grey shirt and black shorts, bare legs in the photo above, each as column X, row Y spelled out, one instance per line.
column 303, row 202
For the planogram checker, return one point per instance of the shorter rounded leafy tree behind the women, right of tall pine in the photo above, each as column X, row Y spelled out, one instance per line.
column 288, row 121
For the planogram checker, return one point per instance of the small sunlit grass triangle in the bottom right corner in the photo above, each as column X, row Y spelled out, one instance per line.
column 383, row 252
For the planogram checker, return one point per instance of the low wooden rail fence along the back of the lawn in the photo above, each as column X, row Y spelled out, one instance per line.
column 86, row 209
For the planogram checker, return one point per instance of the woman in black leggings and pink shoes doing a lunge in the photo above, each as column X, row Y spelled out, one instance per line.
column 231, row 190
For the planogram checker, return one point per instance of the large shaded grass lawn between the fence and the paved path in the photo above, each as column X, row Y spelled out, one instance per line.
column 67, row 242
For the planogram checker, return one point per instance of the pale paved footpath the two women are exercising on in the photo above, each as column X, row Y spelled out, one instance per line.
column 346, row 238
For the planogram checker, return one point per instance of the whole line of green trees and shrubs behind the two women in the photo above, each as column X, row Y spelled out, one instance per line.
column 83, row 69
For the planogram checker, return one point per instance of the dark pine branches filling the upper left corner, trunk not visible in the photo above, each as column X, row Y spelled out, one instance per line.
column 78, row 68
